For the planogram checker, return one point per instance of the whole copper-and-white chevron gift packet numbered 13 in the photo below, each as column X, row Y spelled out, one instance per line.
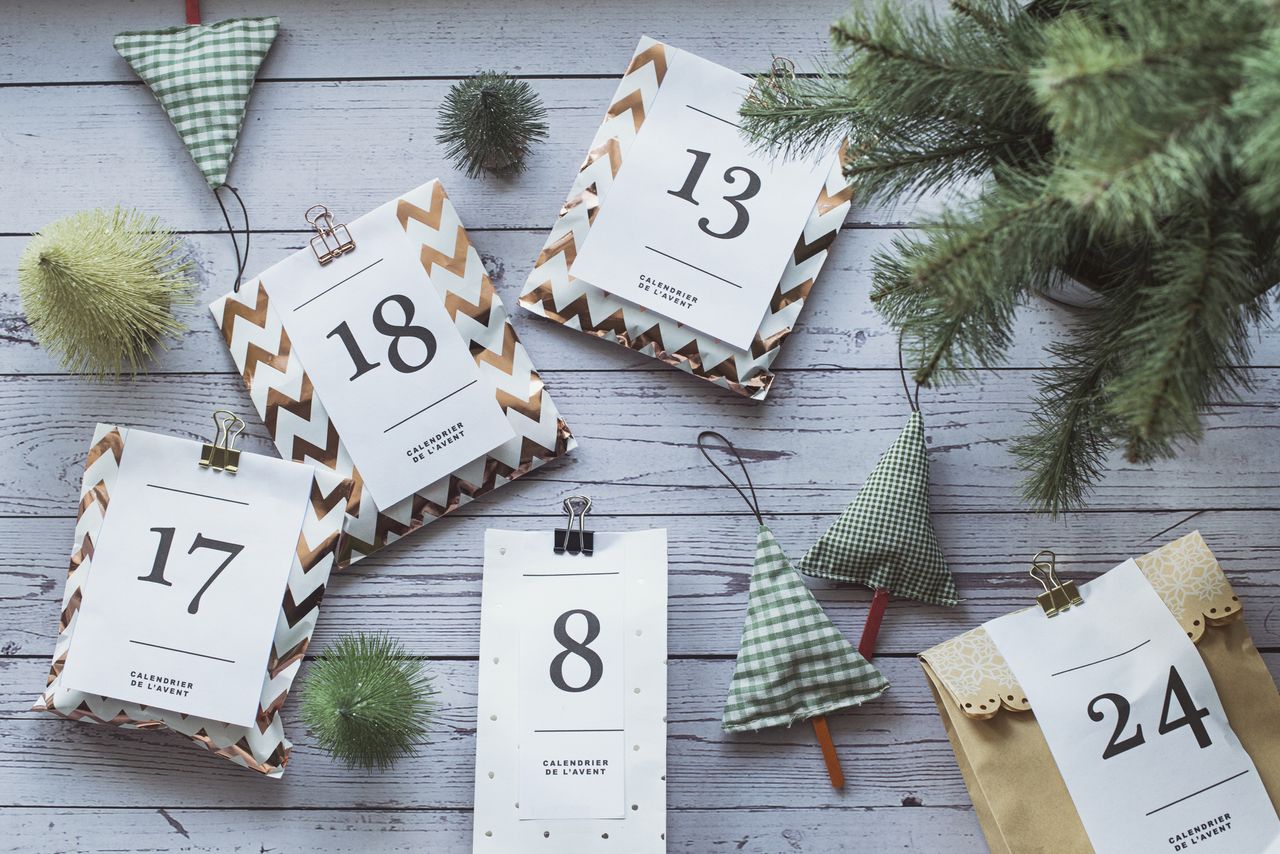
column 683, row 240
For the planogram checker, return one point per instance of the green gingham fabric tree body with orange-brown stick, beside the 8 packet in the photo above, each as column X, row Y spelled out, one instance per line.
column 794, row 664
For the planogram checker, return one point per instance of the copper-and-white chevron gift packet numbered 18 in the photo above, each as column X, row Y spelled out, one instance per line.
column 394, row 364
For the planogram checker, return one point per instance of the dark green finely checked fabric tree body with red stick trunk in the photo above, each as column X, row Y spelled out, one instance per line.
column 885, row 540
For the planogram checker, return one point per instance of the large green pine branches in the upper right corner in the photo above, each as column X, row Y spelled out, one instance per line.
column 1131, row 144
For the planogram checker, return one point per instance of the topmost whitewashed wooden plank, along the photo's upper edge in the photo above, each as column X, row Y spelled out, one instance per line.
column 333, row 40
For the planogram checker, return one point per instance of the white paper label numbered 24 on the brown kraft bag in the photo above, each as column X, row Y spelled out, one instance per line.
column 1136, row 725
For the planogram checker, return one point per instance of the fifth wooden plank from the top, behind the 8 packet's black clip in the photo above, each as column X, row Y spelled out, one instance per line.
column 428, row 588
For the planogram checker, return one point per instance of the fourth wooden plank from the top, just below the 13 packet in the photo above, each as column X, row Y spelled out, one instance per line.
column 811, row 445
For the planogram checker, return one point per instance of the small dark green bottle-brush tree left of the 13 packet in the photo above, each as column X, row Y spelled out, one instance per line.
column 490, row 122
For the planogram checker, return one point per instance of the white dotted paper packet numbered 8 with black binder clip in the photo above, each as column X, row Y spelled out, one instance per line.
column 572, row 733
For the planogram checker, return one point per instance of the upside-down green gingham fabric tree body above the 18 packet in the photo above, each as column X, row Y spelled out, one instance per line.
column 203, row 75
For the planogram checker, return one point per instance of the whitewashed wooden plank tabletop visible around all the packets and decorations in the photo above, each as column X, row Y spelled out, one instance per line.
column 346, row 113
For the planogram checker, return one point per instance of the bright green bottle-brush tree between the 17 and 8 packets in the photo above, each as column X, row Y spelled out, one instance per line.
column 367, row 702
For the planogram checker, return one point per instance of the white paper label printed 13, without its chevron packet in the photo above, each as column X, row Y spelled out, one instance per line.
column 700, row 225
